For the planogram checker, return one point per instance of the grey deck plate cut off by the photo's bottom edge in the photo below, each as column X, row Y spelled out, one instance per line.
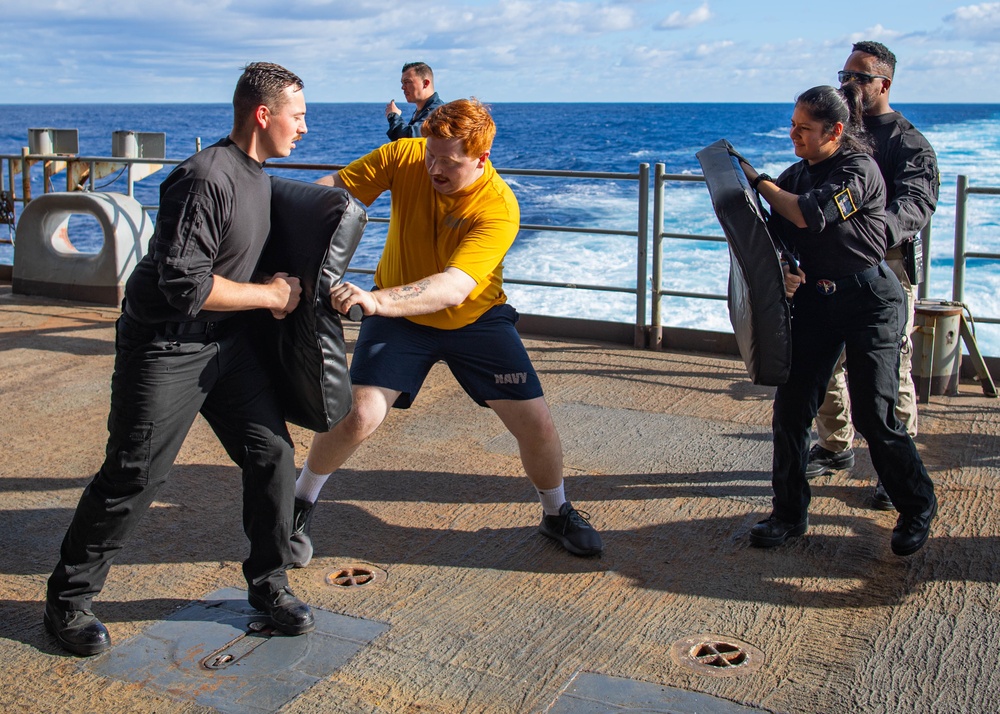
column 590, row 693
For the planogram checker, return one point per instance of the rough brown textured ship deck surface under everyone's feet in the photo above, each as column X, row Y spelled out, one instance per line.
column 668, row 452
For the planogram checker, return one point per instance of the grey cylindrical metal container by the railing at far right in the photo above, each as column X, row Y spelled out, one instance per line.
column 937, row 348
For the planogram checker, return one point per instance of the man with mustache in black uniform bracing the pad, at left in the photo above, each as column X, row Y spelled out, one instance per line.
column 181, row 349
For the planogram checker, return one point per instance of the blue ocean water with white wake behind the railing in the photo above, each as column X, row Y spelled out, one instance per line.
column 585, row 137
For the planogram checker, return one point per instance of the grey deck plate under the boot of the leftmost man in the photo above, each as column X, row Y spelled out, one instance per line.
column 168, row 656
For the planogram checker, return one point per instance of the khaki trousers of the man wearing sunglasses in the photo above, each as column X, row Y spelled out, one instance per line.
column 833, row 421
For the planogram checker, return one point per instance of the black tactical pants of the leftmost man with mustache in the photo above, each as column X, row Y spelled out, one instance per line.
column 164, row 376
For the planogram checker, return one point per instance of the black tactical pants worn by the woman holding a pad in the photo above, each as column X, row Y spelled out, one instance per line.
column 865, row 318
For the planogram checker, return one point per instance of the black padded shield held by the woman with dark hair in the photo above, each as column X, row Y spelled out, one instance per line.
column 758, row 309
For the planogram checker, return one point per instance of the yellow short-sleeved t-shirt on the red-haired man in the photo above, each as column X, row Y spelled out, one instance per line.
column 471, row 230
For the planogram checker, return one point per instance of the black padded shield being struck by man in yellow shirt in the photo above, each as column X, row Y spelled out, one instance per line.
column 314, row 233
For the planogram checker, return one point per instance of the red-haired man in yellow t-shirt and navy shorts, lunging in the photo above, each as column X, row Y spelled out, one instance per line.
column 440, row 296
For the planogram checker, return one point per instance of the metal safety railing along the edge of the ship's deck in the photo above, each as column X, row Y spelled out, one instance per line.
column 645, row 333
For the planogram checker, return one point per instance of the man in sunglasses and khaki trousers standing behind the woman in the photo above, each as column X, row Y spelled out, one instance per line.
column 909, row 168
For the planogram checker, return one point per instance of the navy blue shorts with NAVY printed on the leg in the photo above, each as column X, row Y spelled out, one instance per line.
column 487, row 357
